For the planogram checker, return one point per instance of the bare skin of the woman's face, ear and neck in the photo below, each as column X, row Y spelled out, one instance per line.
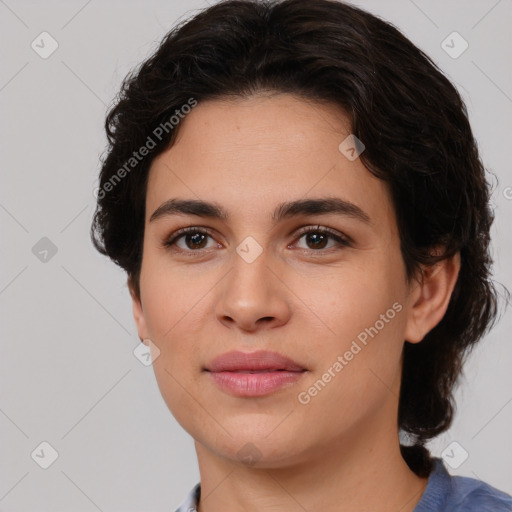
column 341, row 450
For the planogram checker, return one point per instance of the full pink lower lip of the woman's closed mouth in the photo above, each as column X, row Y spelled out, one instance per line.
column 254, row 384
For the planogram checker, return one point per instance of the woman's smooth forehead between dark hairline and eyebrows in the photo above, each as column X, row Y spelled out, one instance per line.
column 254, row 153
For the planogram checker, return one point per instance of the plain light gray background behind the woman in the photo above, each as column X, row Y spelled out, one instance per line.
column 68, row 374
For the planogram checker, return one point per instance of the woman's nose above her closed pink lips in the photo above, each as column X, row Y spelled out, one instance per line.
column 252, row 296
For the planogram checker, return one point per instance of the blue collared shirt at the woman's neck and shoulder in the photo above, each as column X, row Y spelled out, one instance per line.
column 444, row 493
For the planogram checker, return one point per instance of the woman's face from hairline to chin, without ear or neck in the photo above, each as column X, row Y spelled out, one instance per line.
column 333, row 299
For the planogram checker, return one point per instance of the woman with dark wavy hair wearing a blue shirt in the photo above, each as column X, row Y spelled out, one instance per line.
column 296, row 196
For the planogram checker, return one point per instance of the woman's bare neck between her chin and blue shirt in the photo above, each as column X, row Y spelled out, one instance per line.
column 363, row 470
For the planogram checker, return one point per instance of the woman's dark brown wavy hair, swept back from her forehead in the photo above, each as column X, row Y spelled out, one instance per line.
column 411, row 119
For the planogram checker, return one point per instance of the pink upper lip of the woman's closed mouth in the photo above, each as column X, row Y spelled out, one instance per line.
column 261, row 361
